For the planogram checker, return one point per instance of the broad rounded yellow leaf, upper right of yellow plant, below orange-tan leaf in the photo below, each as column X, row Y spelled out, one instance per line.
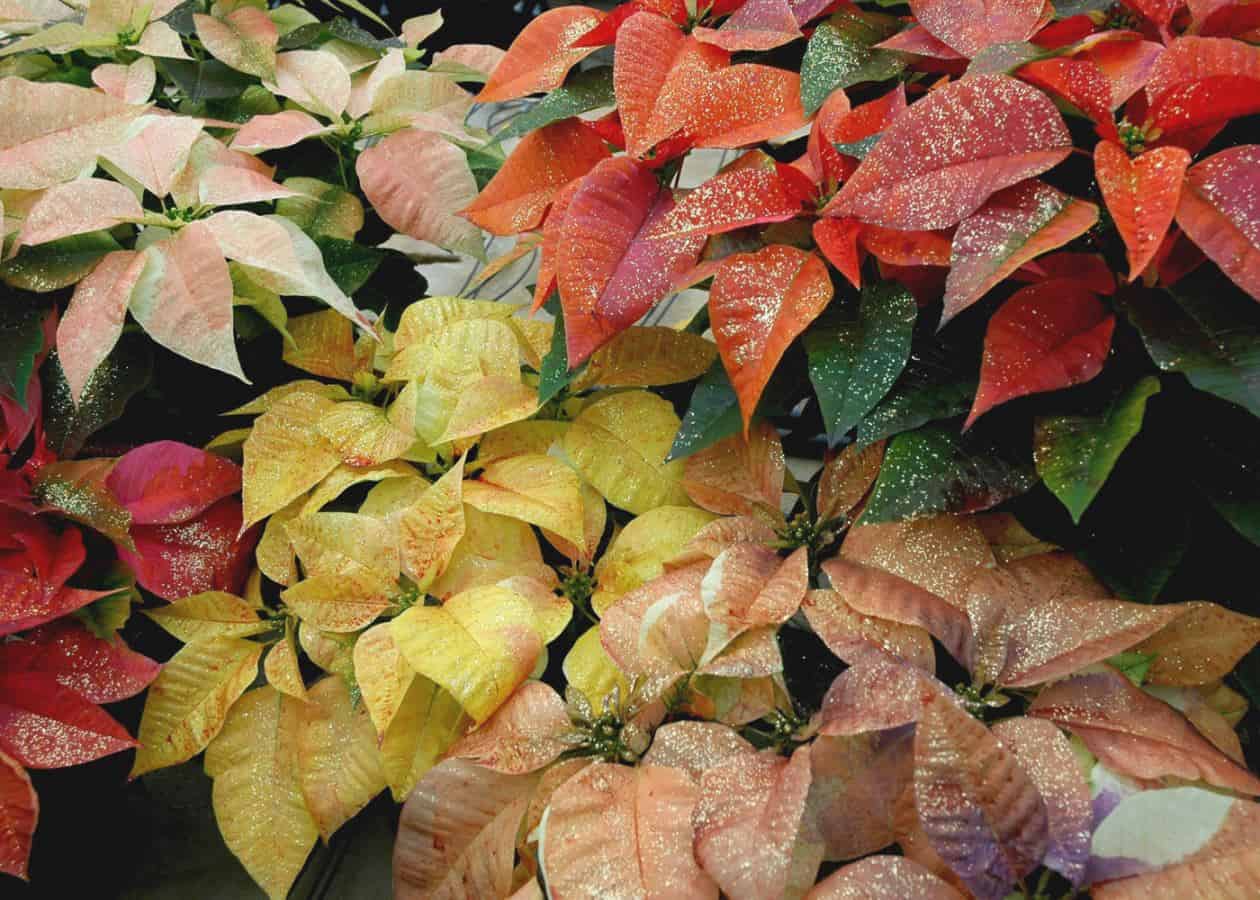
column 619, row 444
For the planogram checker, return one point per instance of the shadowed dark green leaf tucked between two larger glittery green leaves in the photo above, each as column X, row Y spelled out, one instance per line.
column 931, row 389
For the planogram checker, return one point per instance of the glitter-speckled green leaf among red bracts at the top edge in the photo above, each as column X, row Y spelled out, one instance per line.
column 842, row 54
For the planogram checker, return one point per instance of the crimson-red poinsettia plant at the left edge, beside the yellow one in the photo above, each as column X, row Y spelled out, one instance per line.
column 169, row 512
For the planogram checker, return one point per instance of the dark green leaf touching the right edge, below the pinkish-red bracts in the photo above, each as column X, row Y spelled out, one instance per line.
column 1206, row 331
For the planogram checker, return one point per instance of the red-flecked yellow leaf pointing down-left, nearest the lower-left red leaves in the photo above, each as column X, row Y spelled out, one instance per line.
column 190, row 701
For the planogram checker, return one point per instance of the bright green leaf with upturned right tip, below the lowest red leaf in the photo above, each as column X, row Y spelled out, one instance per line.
column 1075, row 454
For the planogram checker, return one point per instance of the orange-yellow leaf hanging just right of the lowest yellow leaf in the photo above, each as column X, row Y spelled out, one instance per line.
column 338, row 757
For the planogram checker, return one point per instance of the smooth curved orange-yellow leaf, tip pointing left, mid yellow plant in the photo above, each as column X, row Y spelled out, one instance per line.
column 532, row 488
